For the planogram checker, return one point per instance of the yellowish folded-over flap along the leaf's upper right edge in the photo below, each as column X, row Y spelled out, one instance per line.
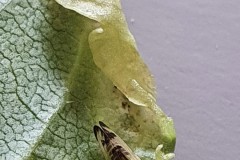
column 114, row 50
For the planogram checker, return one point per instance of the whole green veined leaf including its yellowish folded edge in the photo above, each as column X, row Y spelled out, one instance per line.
column 65, row 66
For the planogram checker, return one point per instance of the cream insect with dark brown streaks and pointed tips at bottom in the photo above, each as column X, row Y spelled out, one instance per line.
column 112, row 146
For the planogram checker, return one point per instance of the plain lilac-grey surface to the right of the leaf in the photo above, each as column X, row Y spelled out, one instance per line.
column 193, row 50
